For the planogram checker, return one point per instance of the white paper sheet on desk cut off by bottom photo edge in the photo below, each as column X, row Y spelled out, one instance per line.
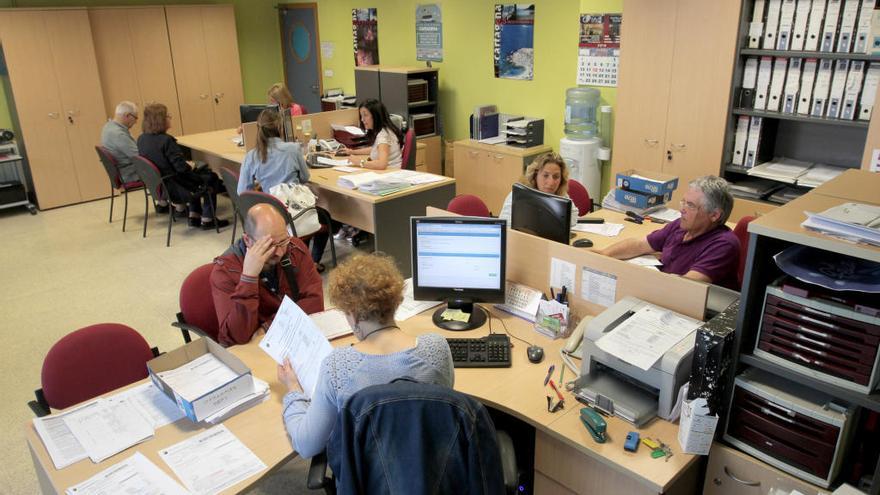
column 133, row 476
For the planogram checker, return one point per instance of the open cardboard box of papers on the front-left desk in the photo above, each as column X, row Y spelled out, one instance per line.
column 200, row 408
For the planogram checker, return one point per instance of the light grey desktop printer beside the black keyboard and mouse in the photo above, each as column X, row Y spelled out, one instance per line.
column 617, row 387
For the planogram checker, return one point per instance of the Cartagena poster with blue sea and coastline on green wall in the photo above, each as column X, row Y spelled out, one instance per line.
column 514, row 48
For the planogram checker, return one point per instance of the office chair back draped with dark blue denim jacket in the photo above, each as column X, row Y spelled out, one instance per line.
column 373, row 448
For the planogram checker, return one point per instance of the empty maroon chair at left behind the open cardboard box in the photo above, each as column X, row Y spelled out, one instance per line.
column 89, row 362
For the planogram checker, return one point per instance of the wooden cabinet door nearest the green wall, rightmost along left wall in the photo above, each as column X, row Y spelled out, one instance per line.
column 224, row 70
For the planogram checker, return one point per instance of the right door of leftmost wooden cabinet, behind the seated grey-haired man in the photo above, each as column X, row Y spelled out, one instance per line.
column 73, row 56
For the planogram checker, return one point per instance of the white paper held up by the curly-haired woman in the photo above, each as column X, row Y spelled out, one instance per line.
column 294, row 335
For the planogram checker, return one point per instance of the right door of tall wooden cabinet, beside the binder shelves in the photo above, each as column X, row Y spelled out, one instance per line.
column 702, row 68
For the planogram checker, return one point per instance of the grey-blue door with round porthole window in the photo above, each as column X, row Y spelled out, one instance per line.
column 300, row 47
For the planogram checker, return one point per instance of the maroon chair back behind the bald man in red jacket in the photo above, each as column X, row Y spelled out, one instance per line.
column 197, row 313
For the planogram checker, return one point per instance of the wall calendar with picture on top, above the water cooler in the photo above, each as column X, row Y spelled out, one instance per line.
column 599, row 49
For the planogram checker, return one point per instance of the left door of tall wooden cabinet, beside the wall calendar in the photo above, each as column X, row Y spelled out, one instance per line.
column 643, row 84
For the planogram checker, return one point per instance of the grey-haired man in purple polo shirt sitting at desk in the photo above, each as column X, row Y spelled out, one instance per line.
column 698, row 245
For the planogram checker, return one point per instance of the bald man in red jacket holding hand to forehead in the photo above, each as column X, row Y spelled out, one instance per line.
column 251, row 278
